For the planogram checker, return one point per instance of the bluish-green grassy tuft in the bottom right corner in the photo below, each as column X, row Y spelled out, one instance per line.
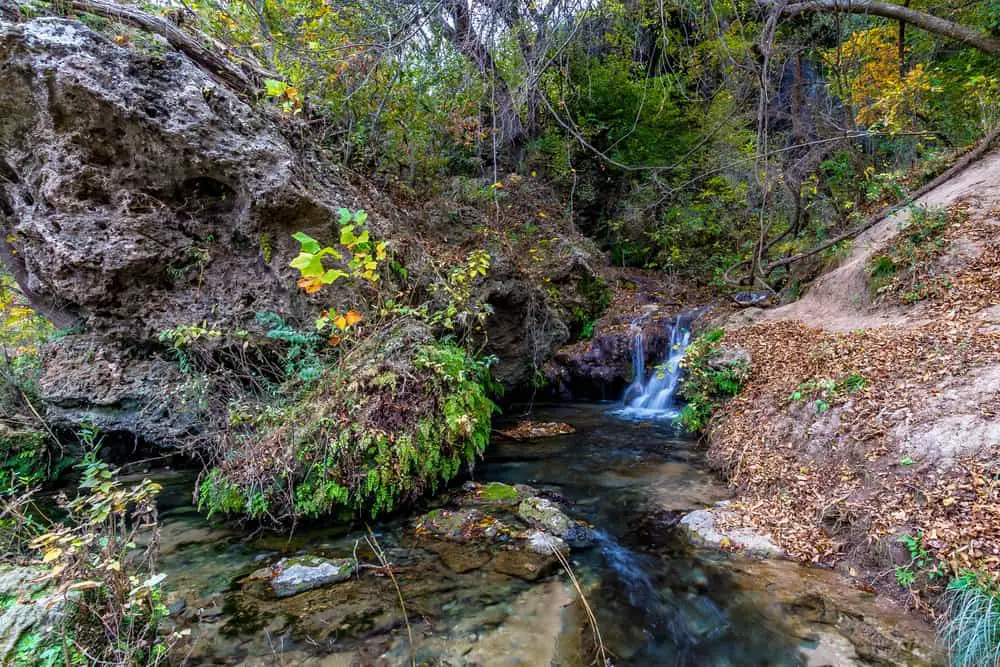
column 970, row 628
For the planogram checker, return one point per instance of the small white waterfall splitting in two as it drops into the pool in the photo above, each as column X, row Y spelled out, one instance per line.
column 653, row 396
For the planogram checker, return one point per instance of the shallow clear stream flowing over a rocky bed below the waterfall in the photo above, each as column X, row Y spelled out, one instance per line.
column 657, row 601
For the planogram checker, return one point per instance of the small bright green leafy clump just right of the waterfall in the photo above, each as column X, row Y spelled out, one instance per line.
column 705, row 386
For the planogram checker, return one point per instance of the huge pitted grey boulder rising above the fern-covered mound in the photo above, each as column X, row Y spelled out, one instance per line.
column 139, row 195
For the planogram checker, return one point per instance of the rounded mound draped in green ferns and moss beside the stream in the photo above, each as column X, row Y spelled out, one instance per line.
column 395, row 417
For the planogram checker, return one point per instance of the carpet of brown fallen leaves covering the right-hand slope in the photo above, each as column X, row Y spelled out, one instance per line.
column 825, row 483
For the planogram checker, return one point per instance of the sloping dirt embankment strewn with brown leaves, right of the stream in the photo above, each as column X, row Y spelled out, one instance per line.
column 873, row 407
